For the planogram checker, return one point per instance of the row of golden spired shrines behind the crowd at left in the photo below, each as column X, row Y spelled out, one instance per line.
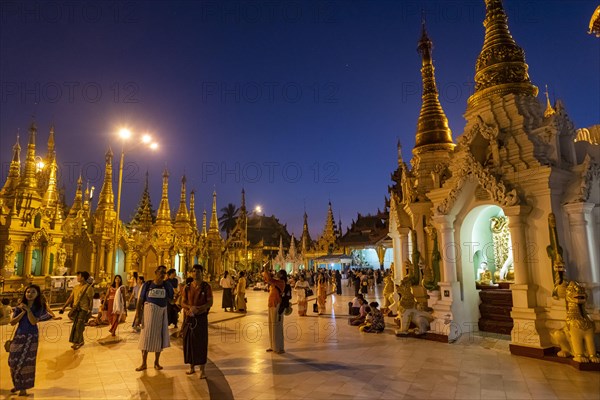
column 40, row 236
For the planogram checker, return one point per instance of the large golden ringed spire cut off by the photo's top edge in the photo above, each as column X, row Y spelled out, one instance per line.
column 501, row 67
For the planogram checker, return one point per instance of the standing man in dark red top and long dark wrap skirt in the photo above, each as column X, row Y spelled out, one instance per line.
column 197, row 301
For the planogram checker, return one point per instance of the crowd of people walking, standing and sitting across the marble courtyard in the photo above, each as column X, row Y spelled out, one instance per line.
column 158, row 303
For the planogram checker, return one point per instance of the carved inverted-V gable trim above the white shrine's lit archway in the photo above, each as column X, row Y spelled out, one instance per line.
column 470, row 168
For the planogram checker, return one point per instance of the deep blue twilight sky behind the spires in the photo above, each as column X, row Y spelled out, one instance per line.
column 299, row 102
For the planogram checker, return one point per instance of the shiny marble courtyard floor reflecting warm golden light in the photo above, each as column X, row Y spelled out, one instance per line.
column 325, row 358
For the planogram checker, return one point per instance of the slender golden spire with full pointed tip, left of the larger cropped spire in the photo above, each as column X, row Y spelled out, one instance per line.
column 432, row 127
